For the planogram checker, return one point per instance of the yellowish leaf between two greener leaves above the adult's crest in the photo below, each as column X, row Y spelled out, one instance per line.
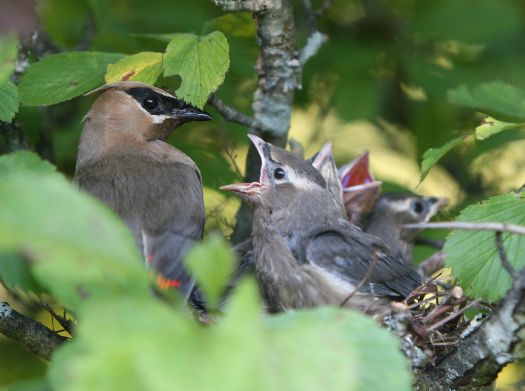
column 143, row 66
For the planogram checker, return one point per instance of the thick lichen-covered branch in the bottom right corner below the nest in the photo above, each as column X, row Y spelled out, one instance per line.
column 479, row 356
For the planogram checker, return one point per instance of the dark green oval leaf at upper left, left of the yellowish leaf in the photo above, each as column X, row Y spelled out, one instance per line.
column 60, row 77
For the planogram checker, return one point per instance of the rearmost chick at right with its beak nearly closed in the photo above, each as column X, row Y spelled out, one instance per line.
column 393, row 210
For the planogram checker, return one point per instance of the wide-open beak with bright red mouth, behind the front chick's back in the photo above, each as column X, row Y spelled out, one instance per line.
column 360, row 189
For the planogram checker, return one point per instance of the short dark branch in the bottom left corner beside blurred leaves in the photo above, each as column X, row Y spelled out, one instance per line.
column 29, row 333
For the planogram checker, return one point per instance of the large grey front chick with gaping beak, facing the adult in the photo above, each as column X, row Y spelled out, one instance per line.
column 316, row 256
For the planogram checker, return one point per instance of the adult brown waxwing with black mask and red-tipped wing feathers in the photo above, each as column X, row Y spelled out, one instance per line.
column 124, row 160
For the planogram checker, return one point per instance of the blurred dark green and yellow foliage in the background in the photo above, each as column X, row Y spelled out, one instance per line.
column 380, row 84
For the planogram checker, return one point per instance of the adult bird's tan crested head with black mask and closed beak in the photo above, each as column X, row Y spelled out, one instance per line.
column 134, row 112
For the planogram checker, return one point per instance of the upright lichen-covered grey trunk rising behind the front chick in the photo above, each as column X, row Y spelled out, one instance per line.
column 279, row 75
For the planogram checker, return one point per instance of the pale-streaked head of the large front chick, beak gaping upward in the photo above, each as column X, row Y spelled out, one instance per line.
column 289, row 187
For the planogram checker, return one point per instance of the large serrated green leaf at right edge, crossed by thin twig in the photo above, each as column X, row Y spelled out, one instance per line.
column 473, row 255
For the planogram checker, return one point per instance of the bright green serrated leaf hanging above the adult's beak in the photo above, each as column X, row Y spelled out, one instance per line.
column 201, row 62
